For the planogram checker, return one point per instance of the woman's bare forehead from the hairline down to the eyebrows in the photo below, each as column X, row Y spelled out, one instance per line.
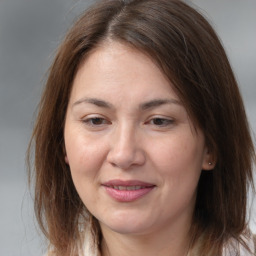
column 124, row 78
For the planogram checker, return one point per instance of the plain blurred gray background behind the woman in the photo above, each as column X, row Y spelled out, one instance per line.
column 30, row 31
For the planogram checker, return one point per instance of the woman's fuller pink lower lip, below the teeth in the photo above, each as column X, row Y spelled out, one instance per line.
column 127, row 195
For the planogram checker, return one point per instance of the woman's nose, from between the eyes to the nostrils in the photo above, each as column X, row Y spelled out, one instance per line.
column 126, row 149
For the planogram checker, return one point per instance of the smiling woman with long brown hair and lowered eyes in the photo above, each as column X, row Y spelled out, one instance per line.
column 141, row 142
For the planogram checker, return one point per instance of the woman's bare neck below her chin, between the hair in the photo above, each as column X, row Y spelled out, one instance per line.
column 161, row 243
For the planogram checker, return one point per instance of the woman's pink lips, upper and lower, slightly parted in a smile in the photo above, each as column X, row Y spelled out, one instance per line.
column 127, row 195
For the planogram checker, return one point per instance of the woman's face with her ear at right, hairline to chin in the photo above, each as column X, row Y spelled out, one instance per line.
column 133, row 153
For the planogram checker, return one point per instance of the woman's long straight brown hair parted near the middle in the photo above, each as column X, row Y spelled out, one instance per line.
column 187, row 50
